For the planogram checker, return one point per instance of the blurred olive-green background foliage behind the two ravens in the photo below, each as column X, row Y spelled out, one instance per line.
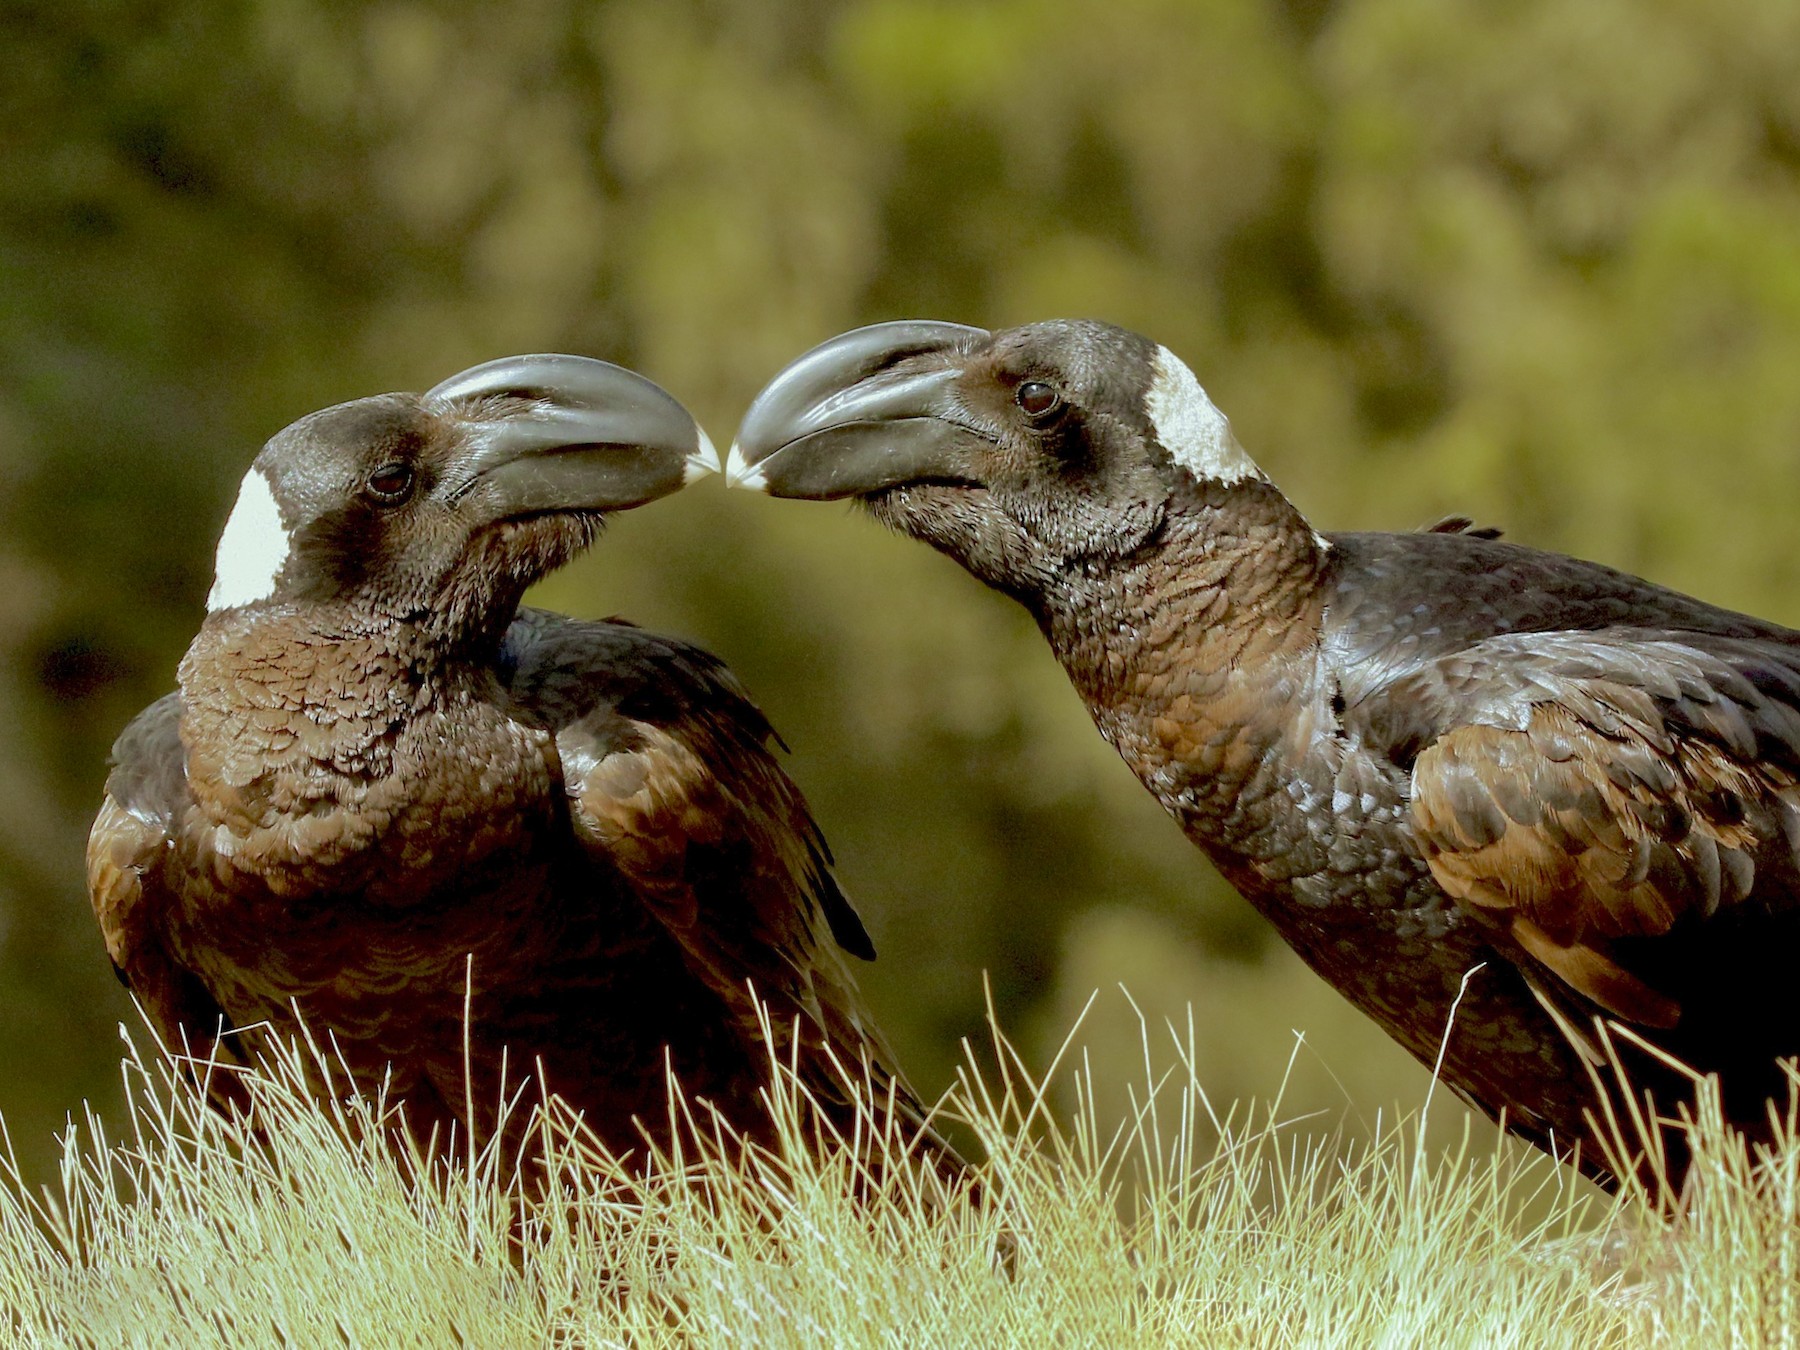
column 1534, row 262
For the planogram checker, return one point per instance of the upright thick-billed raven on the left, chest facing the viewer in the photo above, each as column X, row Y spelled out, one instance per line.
column 386, row 796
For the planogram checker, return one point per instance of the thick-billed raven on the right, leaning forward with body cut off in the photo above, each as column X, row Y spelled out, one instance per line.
column 1502, row 800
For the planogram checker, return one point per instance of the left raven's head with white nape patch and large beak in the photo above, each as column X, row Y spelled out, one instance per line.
column 442, row 508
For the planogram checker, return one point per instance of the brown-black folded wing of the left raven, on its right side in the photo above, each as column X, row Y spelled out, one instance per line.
column 672, row 784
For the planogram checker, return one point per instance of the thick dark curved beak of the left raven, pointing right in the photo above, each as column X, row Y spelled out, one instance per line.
column 555, row 433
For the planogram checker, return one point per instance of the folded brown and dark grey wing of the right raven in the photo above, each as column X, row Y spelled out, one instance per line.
column 1599, row 789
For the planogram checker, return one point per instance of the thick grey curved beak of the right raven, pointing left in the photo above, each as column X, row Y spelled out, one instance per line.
column 867, row 411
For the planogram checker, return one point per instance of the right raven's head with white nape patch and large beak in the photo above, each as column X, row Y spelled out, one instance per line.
column 1014, row 453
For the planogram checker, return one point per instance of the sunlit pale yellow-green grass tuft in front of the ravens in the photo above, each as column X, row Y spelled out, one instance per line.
column 301, row 1227
